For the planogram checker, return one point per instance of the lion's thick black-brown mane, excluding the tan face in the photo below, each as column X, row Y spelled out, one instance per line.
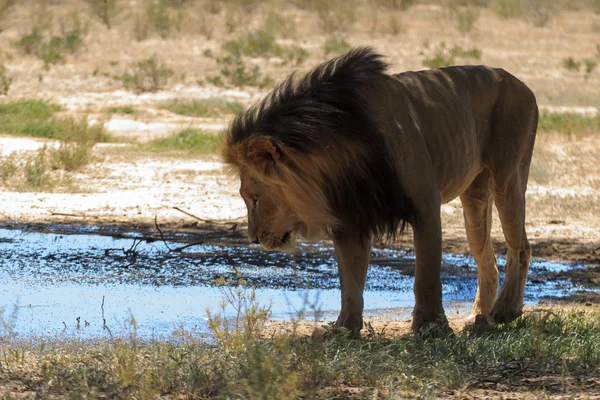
column 325, row 113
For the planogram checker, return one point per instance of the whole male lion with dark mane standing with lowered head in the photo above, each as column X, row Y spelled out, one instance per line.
column 351, row 151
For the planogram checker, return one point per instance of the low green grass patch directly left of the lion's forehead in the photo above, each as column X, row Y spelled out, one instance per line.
column 189, row 140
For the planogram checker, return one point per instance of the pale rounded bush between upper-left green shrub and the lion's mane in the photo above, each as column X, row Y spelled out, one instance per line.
column 149, row 75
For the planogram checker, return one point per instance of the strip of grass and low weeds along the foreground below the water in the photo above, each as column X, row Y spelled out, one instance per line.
column 243, row 360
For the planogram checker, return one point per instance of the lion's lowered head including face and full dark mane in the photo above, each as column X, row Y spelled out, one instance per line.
column 312, row 159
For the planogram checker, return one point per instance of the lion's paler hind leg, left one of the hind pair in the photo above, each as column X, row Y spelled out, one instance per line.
column 477, row 203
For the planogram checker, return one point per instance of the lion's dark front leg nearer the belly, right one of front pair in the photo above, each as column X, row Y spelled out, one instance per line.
column 428, row 284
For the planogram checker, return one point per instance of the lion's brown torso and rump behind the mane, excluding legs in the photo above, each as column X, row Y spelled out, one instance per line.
column 462, row 114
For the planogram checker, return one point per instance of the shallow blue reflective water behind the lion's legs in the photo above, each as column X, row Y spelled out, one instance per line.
column 49, row 280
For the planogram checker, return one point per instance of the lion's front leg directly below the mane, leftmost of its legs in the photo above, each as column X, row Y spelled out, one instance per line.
column 353, row 255
